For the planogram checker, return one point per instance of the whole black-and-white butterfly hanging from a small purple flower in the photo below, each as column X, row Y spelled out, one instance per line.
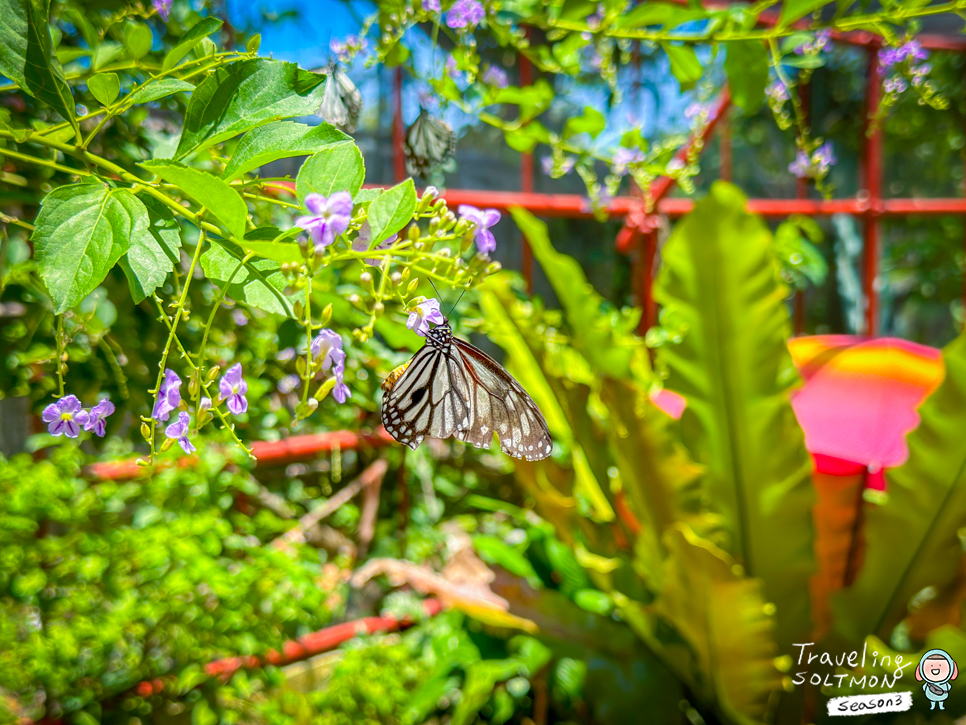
column 451, row 389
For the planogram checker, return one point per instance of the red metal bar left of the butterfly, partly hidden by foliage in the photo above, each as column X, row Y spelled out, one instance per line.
column 267, row 453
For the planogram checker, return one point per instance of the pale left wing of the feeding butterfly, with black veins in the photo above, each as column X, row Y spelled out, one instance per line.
column 428, row 399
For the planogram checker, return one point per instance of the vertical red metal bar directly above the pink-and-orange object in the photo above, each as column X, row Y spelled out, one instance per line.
column 872, row 179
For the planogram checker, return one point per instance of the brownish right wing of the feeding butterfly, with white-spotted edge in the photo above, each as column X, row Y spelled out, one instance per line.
column 498, row 404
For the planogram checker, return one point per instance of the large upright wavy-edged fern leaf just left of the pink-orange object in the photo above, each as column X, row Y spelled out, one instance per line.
column 735, row 371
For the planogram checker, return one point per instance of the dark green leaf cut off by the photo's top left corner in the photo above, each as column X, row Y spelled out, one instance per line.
column 27, row 57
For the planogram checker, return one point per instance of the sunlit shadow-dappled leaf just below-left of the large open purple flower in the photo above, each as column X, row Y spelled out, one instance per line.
column 257, row 283
